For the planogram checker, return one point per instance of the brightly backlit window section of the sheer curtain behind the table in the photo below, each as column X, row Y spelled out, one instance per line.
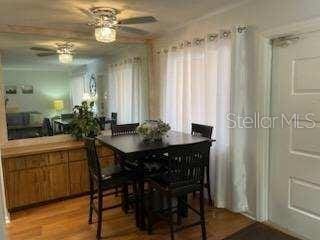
column 189, row 85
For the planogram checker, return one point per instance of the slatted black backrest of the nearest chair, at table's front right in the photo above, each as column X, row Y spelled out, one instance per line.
column 187, row 163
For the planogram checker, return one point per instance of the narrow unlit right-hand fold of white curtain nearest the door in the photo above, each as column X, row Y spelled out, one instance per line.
column 240, row 105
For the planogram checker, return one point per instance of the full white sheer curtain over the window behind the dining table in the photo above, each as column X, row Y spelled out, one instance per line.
column 198, row 80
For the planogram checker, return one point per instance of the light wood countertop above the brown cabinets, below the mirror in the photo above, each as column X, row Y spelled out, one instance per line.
column 9, row 152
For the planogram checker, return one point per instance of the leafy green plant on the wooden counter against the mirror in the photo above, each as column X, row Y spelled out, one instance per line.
column 84, row 122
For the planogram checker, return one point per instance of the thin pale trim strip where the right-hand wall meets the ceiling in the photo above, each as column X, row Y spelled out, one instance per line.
column 206, row 16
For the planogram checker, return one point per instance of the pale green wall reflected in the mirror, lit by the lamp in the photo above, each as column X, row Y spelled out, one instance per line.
column 48, row 86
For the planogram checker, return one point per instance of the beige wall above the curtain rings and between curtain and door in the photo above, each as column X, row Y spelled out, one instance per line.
column 260, row 15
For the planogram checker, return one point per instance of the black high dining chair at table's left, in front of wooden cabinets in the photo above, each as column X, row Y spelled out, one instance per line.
column 104, row 179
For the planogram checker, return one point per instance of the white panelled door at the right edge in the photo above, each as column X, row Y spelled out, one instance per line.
column 294, row 197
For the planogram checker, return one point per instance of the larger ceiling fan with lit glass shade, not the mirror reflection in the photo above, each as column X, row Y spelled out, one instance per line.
column 106, row 23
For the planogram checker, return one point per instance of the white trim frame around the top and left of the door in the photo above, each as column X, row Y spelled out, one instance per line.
column 264, row 105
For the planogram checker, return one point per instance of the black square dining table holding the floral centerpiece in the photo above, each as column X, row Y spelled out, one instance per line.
column 133, row 148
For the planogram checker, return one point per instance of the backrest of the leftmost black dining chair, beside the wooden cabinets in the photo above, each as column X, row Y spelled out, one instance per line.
column 92, row 158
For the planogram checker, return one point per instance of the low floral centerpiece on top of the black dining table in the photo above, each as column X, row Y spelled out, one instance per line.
column 153, row 130
